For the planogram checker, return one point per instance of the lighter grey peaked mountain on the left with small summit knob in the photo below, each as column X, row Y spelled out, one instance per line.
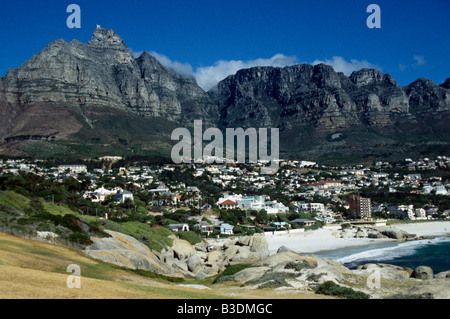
column 70, row 87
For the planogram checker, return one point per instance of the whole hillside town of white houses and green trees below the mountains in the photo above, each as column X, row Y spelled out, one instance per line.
column 232, row 198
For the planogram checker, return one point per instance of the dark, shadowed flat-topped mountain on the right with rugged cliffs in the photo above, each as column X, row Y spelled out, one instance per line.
column 322, row 112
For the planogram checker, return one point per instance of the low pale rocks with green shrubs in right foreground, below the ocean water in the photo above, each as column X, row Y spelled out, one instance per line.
column 379, row 281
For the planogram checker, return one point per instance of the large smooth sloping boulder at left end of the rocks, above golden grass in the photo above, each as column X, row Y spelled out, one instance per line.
column 126, row 251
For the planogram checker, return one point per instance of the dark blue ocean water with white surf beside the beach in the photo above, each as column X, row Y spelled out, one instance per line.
column 434, row 253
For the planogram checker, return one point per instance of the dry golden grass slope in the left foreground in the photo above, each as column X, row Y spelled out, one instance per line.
column 35, row 270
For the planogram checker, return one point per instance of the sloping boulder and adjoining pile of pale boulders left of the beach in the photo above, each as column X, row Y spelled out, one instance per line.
column 181, row 259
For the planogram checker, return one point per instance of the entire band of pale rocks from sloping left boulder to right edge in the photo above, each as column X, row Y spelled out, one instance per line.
column 283, row 269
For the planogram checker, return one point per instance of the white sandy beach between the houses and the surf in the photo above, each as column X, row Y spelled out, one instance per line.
column 321, row 240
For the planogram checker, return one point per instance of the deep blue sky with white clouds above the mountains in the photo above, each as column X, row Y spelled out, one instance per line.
column 211, row 39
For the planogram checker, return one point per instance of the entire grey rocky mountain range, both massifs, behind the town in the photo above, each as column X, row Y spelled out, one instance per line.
column 96, row 98
